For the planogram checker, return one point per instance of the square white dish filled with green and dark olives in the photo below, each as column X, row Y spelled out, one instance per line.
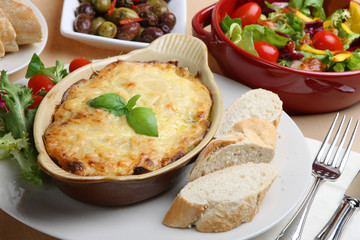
column 122, row 25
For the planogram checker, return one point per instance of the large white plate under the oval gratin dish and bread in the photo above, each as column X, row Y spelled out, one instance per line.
column 50, row 211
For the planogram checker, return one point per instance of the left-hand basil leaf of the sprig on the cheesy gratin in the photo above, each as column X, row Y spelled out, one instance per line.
column 111, row 102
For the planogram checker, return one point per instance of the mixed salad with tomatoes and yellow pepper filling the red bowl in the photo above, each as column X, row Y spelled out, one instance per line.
column 297, row 34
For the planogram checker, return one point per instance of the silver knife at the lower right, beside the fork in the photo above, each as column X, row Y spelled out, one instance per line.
column 336, row 224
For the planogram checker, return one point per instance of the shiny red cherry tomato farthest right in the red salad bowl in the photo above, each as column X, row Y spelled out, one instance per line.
column 327, row 40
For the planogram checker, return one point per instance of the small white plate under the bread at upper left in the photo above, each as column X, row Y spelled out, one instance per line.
column 13, row 62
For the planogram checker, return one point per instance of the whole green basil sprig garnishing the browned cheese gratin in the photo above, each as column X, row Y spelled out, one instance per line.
column 141, row 119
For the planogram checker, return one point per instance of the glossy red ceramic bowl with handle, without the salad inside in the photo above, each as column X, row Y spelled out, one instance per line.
column 301, row 91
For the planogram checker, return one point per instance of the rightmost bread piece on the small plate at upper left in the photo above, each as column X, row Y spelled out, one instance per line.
column 24, row 21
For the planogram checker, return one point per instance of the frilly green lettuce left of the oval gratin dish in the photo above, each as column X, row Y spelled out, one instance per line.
column 16, row 139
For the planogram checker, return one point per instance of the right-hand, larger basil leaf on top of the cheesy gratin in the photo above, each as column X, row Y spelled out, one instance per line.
column 143, row 121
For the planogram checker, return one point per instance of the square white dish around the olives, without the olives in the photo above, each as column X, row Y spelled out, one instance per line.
column 178, row 7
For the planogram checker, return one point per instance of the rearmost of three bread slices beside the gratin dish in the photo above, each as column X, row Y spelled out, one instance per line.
column 257, row 103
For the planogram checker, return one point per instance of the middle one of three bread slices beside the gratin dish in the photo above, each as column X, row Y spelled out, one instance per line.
column 251, row 140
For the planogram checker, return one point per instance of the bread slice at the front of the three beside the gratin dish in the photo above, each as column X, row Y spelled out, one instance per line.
column 222, row 200
